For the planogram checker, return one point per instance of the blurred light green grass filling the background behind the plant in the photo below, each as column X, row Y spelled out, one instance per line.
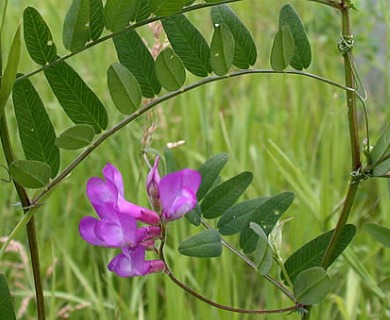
column 291, row 132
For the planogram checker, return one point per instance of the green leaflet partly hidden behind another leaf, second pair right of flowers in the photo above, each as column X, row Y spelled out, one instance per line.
column 234, row 218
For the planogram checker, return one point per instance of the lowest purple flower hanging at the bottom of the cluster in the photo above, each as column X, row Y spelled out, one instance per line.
column 131, row 262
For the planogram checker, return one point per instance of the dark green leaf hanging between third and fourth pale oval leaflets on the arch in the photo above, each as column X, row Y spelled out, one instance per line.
column 135, row 56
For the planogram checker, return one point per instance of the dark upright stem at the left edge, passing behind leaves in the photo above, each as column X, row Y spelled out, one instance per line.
column 31, row 229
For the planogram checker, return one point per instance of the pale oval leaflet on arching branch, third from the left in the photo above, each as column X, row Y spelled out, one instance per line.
column 124, row 88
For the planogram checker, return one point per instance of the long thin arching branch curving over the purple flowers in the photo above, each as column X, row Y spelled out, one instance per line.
column 159, row 100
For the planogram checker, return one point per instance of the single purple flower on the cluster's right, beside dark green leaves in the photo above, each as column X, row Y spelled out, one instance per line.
column 178, row 193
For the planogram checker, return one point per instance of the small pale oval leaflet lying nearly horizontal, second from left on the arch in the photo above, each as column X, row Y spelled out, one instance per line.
column 76, row 137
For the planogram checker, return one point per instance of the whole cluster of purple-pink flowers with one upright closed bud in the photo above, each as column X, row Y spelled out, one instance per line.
column 118, row 223
